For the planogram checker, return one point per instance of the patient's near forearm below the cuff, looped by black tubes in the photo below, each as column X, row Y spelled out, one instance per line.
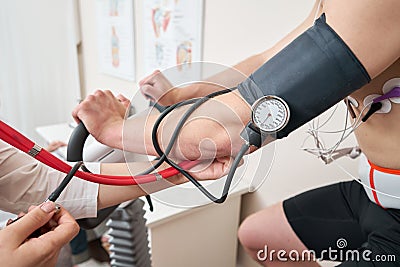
column 212, row 131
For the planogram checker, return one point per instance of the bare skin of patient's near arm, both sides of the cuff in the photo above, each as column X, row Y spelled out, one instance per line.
column 366, row 26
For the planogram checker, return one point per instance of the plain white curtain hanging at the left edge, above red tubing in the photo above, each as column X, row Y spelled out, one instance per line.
column 39, row 78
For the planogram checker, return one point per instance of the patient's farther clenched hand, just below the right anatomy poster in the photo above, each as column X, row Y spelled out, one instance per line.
column 157, row 88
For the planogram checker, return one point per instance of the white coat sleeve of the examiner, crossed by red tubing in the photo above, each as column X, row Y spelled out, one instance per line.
column 25, row 181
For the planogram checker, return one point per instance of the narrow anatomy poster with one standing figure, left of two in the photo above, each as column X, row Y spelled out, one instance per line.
column 115, row 38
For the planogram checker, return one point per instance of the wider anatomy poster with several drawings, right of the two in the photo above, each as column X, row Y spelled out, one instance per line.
column 172, row 34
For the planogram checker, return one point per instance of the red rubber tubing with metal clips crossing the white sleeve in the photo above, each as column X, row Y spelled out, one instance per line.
column 21, row 142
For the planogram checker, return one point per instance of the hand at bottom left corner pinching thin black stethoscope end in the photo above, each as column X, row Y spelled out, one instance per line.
column 17, row 250
